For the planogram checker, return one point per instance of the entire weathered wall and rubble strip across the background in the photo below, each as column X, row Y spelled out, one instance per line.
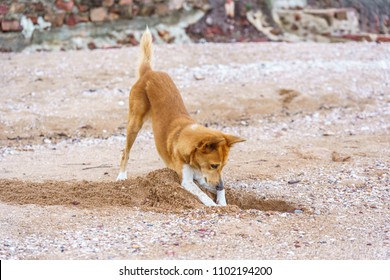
column 77, row 24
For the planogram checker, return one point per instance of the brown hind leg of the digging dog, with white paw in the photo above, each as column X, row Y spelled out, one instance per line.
column 138, row 113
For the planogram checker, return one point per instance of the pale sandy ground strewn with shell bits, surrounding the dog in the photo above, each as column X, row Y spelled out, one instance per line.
column 311, row 182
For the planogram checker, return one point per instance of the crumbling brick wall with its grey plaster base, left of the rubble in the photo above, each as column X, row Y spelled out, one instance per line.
column 23, row 22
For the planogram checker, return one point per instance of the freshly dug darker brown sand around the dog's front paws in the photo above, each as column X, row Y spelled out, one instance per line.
column 159, row 190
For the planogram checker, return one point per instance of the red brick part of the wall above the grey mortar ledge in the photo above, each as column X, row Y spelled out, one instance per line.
column 72, row 12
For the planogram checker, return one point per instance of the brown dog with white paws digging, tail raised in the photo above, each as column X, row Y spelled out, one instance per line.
column 192, row 150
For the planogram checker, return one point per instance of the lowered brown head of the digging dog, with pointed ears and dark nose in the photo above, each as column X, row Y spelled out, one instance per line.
column 210, row 156
